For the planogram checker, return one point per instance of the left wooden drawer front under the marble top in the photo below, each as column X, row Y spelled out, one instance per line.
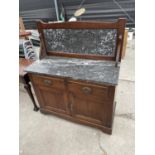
column 48, row 81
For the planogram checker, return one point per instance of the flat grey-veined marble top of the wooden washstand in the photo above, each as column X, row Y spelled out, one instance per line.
column 98, row 71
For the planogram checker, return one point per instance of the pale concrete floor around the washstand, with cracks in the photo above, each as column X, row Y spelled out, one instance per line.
column 41, row 134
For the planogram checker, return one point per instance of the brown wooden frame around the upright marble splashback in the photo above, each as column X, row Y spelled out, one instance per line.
column 119, row 25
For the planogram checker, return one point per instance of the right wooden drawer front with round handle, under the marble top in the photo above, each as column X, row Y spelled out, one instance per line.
column 90, row 91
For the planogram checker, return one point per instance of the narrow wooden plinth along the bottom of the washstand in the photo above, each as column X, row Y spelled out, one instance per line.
column 67, row 117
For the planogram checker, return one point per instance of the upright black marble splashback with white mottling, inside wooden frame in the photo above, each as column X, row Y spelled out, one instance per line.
column 81, row 41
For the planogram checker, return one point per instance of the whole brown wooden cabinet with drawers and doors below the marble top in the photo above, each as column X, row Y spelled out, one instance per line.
column 79, row 101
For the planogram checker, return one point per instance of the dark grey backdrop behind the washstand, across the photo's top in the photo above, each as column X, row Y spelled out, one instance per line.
column 102, row 10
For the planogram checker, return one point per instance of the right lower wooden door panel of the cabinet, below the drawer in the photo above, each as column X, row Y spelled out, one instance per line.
column 84, row 108
